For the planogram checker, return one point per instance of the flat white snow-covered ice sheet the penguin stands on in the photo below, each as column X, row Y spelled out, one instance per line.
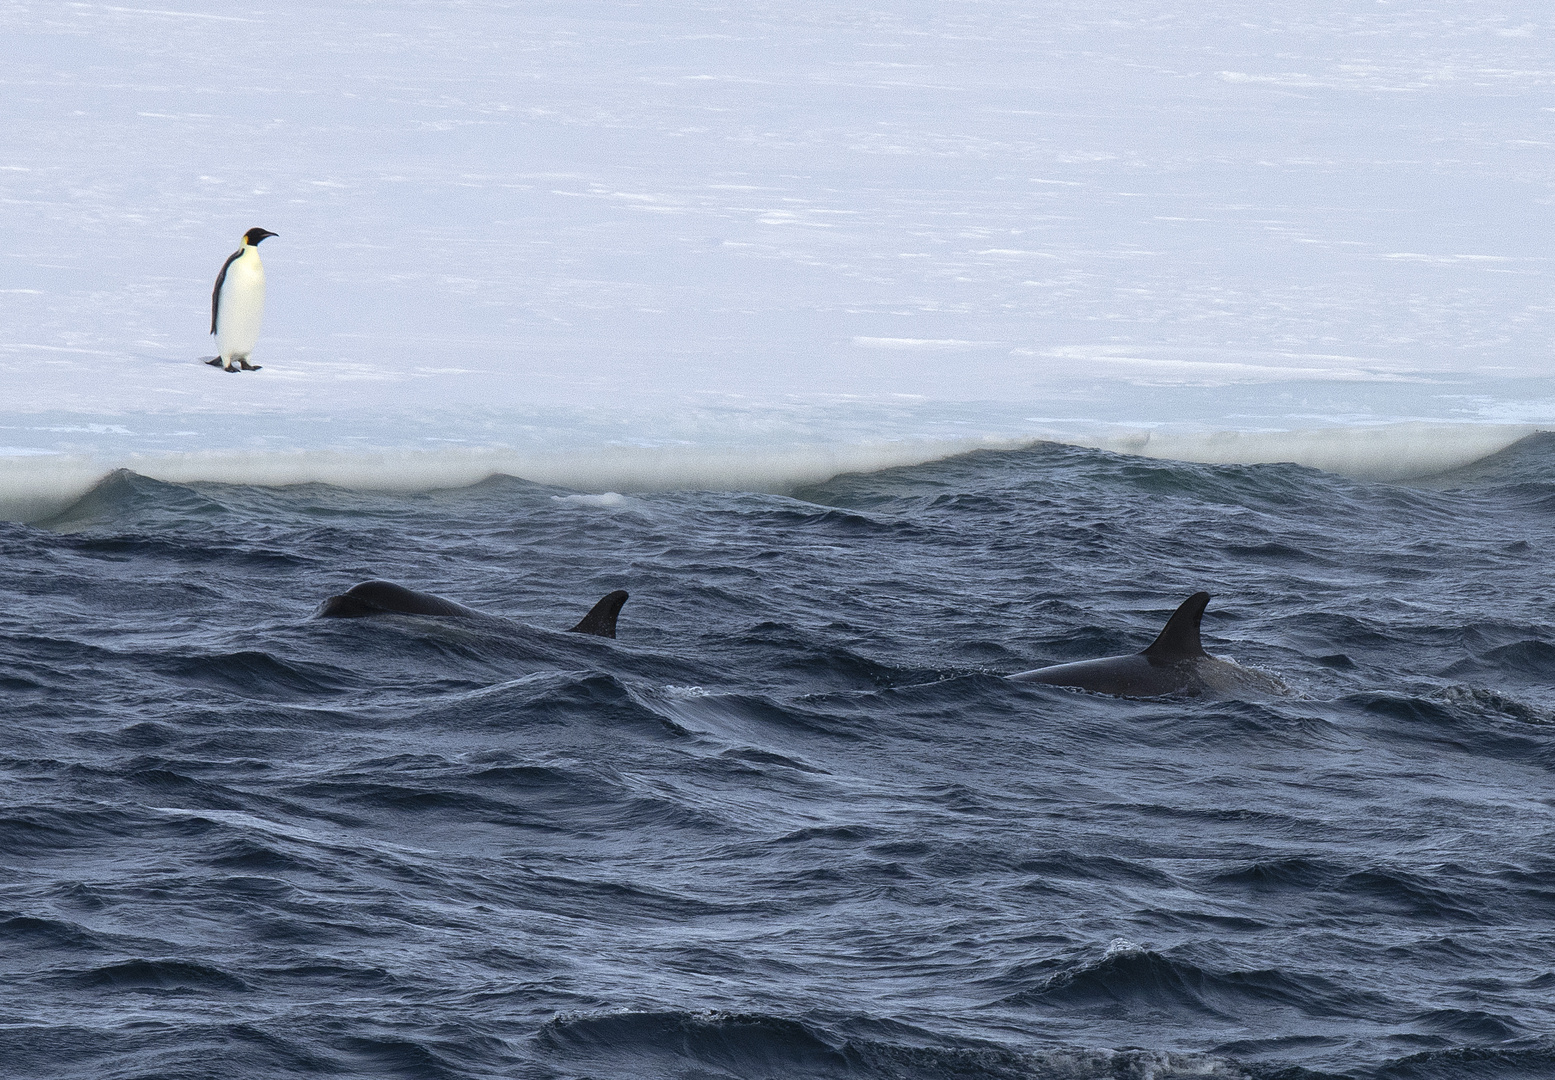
column 621, row 246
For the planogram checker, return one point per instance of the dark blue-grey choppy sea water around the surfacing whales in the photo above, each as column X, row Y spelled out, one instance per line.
column 792, row 823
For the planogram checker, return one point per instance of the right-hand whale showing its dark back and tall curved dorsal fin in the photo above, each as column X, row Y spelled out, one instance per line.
column 1175, row 663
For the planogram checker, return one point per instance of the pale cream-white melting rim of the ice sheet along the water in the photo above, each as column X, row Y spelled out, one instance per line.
column 40, row 487
